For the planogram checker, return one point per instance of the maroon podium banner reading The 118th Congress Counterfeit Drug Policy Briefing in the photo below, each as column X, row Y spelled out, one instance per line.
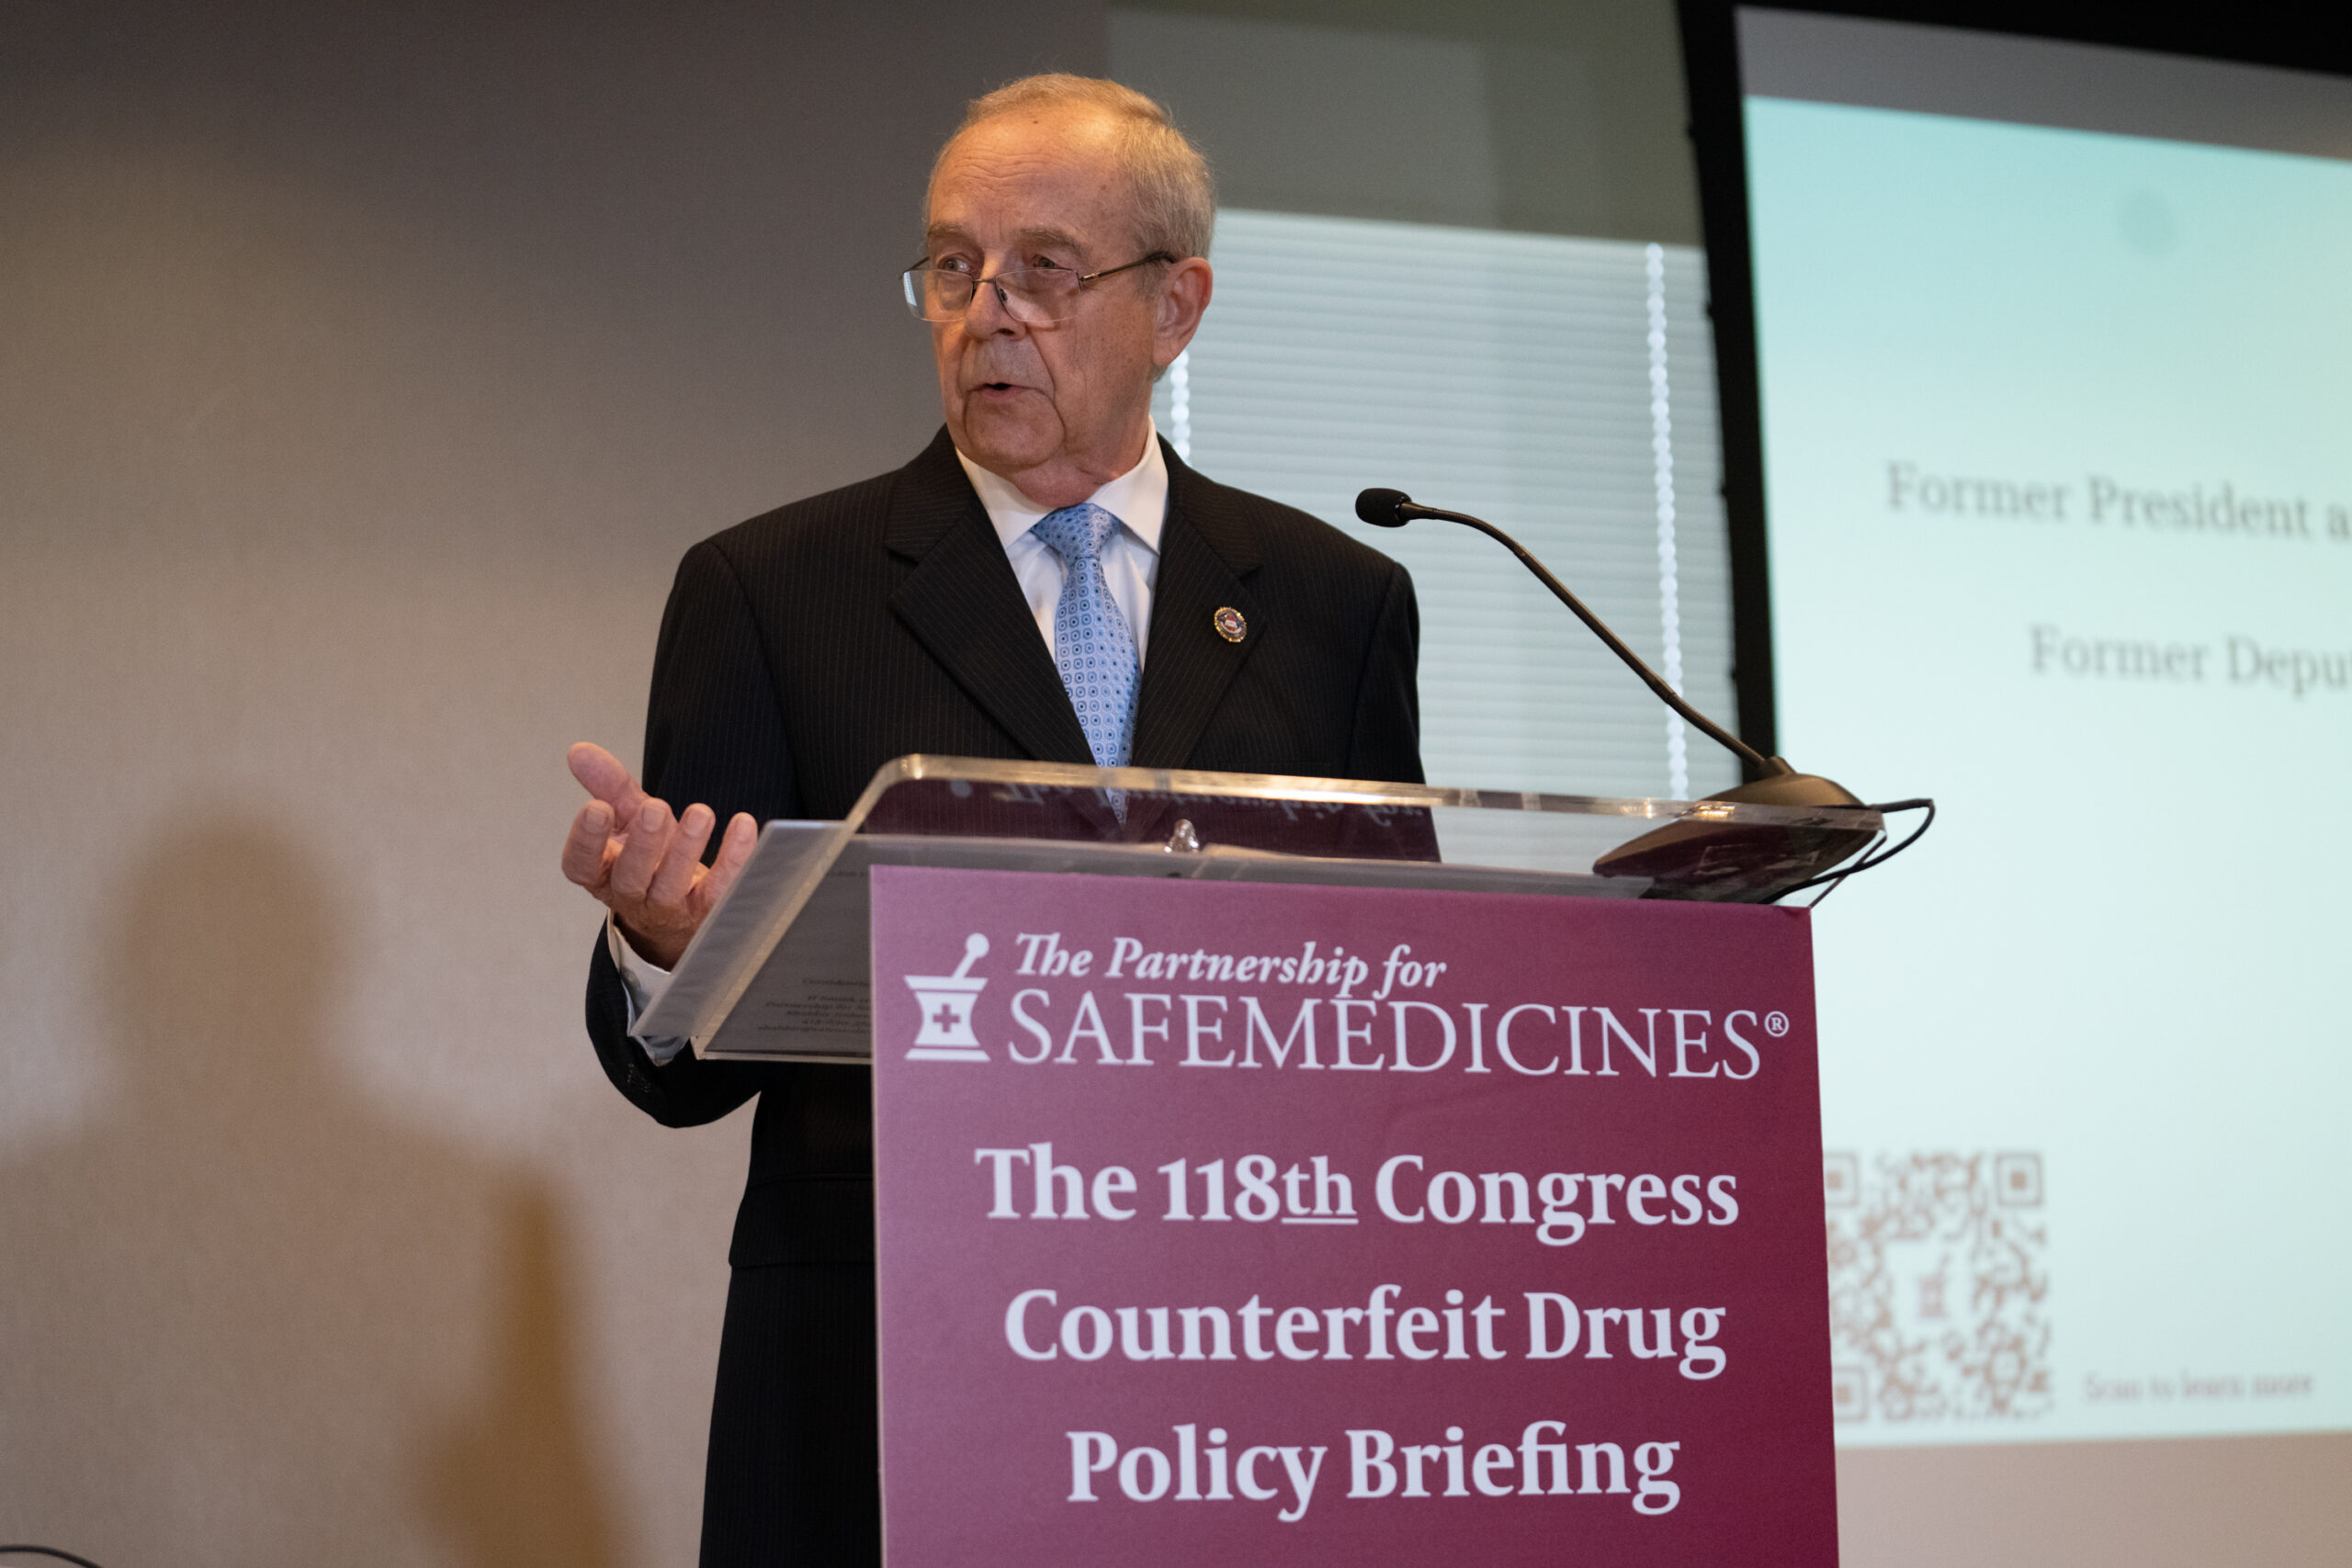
column 1342, row 1226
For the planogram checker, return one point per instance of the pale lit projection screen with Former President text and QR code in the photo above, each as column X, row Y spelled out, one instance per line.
column 2054, row 354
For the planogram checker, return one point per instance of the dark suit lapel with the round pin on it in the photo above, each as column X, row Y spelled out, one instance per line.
column 1205, row 554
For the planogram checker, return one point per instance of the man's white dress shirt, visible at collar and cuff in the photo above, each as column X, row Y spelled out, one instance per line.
column 1140, row 500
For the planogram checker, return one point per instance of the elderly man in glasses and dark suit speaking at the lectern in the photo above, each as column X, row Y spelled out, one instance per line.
column 1045, row 582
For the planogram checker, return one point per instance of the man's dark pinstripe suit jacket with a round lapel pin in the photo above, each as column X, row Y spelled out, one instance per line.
column 808, row 648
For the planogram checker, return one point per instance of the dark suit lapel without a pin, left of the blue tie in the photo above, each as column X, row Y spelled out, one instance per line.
column 965, row 608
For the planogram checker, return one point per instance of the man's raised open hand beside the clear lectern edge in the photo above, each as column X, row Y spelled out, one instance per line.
column 643, row 864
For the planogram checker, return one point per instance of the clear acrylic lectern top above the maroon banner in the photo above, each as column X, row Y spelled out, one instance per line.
column 782, row 970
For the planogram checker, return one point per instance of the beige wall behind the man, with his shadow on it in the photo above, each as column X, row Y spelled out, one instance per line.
column 363, row 373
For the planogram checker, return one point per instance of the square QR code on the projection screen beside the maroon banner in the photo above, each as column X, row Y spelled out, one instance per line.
column 1939, row 1287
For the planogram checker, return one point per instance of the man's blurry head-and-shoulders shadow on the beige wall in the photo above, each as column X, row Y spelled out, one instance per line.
column 243, row 1320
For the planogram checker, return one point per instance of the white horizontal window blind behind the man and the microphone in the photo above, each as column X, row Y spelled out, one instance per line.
column 1561, row 389
